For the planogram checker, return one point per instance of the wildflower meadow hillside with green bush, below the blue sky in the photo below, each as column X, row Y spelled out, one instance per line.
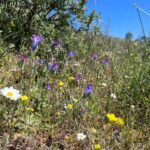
column 64, row 88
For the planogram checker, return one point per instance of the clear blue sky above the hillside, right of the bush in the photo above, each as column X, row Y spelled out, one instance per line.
column 122, row 16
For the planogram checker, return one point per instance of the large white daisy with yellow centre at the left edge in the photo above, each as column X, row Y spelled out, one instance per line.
column 10, row 92
